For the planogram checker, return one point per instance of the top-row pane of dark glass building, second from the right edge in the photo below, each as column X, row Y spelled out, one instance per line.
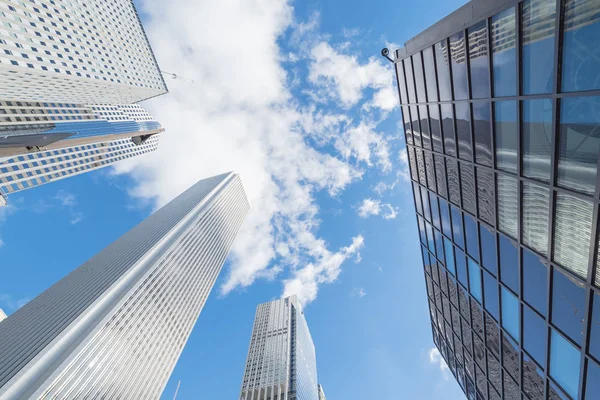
column 537, row 57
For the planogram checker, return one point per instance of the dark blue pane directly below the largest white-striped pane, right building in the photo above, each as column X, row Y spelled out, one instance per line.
column 568, row 302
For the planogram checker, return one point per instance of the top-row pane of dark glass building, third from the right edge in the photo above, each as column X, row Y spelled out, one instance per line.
column 504, row 53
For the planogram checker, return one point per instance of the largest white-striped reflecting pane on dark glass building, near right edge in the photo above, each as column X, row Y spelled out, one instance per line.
column 572, row 233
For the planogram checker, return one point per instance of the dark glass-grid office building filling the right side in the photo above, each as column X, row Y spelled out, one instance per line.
column 501, row 108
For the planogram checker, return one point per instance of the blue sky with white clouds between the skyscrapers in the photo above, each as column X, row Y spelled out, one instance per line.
column 294, row 97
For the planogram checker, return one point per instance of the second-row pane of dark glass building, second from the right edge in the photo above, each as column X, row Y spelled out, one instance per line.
column 537, row 138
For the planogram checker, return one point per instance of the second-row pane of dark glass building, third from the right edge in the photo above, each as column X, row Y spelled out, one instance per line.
column 505, row 127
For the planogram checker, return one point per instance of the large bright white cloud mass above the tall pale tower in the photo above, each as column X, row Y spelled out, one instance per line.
column 239, row 115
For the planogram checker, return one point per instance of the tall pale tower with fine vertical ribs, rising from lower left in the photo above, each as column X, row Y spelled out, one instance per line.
column 115, row 327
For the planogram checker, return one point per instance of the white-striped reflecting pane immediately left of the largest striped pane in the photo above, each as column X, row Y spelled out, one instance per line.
column 535, row 206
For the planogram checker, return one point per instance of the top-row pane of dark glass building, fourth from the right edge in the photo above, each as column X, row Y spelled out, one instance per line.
column 478, row 60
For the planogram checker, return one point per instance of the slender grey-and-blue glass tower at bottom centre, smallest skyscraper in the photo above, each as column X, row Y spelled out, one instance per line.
column 281, row 363
